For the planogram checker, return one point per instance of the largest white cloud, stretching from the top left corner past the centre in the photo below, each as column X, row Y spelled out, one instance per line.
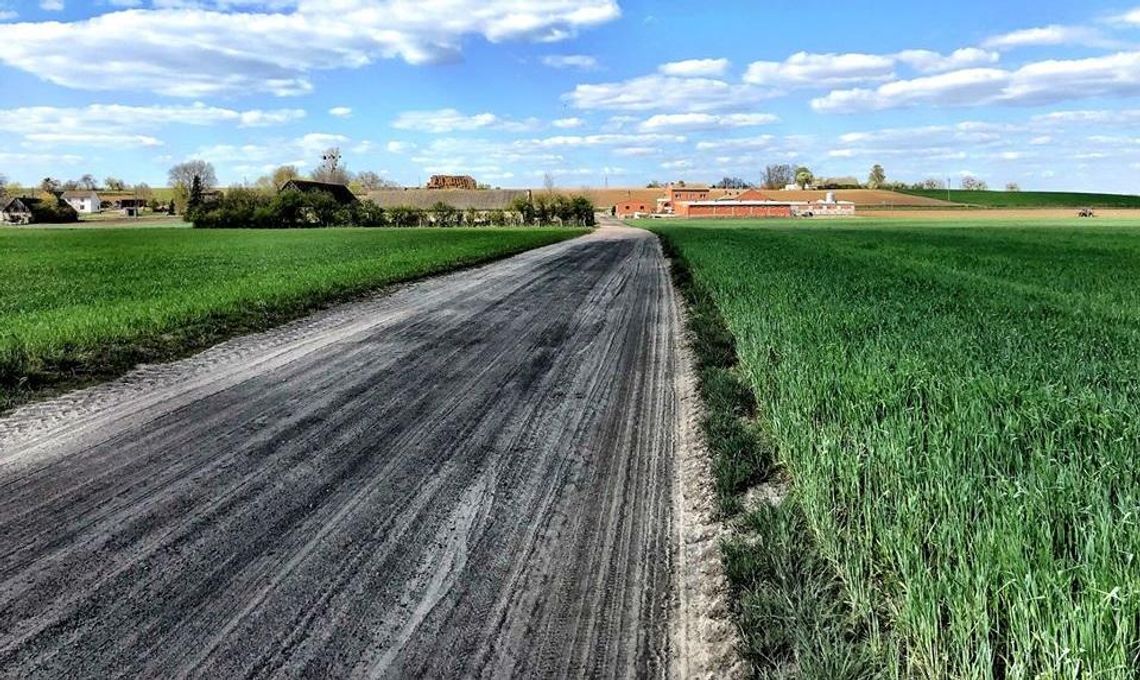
column 193, row 53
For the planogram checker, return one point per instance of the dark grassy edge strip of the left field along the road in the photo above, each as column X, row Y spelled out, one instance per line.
column 56, row 376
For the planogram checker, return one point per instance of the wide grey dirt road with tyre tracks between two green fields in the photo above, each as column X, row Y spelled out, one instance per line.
column 471, row 477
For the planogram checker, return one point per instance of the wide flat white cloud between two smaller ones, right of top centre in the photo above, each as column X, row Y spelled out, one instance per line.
column 665, row 93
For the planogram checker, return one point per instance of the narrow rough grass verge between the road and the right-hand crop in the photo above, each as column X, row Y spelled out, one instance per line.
column 786, row 600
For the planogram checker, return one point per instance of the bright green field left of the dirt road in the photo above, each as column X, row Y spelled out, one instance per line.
column 79, row 305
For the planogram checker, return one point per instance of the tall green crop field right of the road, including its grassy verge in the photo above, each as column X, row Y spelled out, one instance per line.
column 956, row 411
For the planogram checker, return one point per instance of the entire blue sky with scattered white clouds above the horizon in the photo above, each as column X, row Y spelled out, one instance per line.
column 1043, row 94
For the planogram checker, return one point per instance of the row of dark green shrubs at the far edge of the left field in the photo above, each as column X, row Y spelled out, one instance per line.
column 246, row 209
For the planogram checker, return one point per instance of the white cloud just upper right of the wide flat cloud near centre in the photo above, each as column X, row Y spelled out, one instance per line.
column 804, row 70
